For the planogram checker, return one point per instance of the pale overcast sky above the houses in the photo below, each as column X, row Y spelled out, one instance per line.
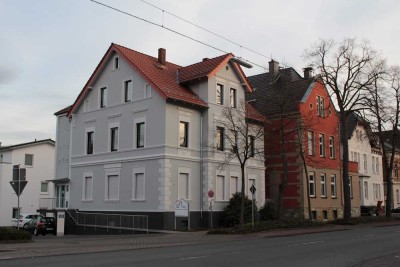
column 50, row 48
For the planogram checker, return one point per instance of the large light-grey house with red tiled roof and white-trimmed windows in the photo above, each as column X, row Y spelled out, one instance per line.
column 144, row 132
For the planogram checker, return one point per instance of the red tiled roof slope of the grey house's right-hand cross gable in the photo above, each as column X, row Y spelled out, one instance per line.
column 203, row 68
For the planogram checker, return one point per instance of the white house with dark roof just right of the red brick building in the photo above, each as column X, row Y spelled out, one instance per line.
column 369, row 158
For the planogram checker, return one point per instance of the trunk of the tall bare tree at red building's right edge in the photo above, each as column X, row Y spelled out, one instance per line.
column 345, row 169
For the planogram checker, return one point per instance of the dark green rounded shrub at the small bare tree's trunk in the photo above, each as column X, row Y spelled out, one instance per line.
column 232, row 210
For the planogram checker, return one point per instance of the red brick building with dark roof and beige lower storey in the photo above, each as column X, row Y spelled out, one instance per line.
column 304, row 125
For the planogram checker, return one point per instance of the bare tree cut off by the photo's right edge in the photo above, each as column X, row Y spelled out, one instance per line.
column 384, row 109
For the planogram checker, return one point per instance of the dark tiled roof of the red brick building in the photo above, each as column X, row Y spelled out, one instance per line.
column 285, row 94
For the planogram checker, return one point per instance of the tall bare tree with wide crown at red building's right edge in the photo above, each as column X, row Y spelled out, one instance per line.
column 348, row 69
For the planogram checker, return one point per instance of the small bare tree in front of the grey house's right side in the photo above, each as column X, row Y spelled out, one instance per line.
column 242, row 129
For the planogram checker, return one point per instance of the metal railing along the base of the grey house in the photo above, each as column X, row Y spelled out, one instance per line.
column 111, row 221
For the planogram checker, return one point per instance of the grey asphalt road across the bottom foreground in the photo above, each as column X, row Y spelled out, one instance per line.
column 374, row 246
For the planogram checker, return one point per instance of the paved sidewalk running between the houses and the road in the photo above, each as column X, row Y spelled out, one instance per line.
column 73, row 244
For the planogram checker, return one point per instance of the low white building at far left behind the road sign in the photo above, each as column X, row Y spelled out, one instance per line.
column 38, row 159
